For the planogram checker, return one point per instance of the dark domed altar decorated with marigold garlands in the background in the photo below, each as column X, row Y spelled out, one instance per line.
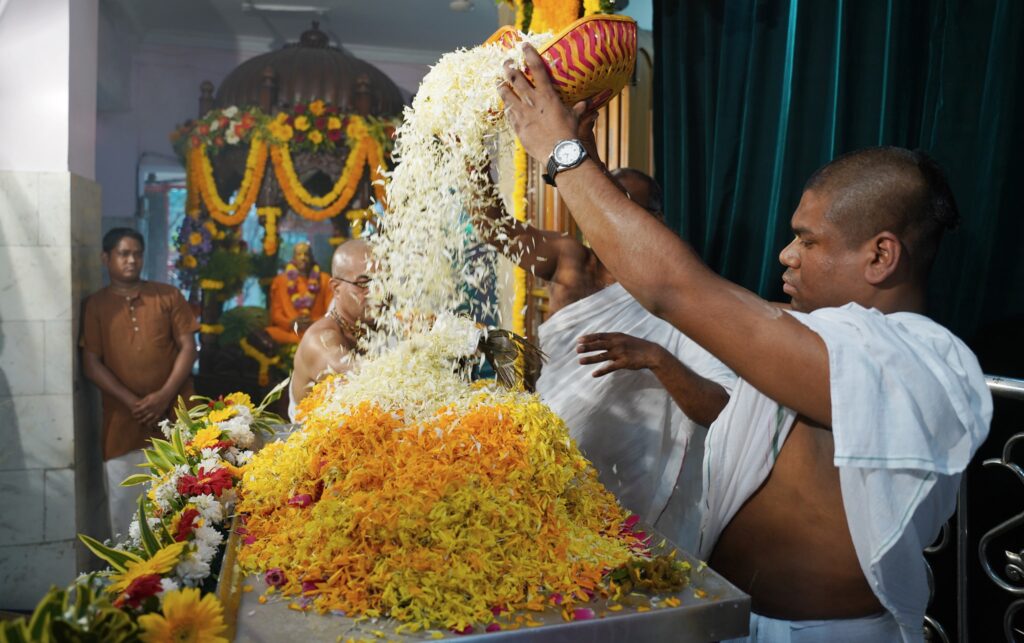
column 297, row 139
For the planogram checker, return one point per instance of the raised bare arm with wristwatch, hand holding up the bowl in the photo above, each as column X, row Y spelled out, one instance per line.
column 770, row 349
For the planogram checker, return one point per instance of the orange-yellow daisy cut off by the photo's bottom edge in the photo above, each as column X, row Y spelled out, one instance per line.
column 186, row 618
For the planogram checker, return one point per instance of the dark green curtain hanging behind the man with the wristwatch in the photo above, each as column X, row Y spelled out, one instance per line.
column 753, row 96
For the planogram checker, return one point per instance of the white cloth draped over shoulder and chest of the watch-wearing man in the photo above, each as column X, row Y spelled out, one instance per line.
column 910, row 409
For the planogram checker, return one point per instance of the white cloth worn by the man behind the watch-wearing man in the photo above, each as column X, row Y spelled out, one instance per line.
column 626, row 423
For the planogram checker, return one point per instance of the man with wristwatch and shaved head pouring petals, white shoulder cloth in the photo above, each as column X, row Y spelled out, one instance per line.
column 839, row 457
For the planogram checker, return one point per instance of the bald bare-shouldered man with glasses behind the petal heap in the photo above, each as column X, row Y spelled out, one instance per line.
column 328, row 346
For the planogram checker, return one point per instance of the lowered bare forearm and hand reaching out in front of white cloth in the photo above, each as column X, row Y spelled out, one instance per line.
column 698, row 397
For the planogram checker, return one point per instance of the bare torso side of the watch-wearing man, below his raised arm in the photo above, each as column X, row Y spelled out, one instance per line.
column 789, row 546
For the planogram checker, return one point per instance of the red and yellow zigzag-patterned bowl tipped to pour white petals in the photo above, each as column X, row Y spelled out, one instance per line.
column 590, row 60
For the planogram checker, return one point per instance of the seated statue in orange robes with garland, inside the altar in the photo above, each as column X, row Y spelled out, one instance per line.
column 300, row 296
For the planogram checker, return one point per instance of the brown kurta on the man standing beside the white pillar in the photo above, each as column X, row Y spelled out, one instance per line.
column 137, row 339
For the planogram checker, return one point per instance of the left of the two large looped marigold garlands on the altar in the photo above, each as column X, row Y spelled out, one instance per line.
column 202, row 175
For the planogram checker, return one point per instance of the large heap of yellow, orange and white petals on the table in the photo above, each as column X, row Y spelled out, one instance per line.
column 413, row 494
